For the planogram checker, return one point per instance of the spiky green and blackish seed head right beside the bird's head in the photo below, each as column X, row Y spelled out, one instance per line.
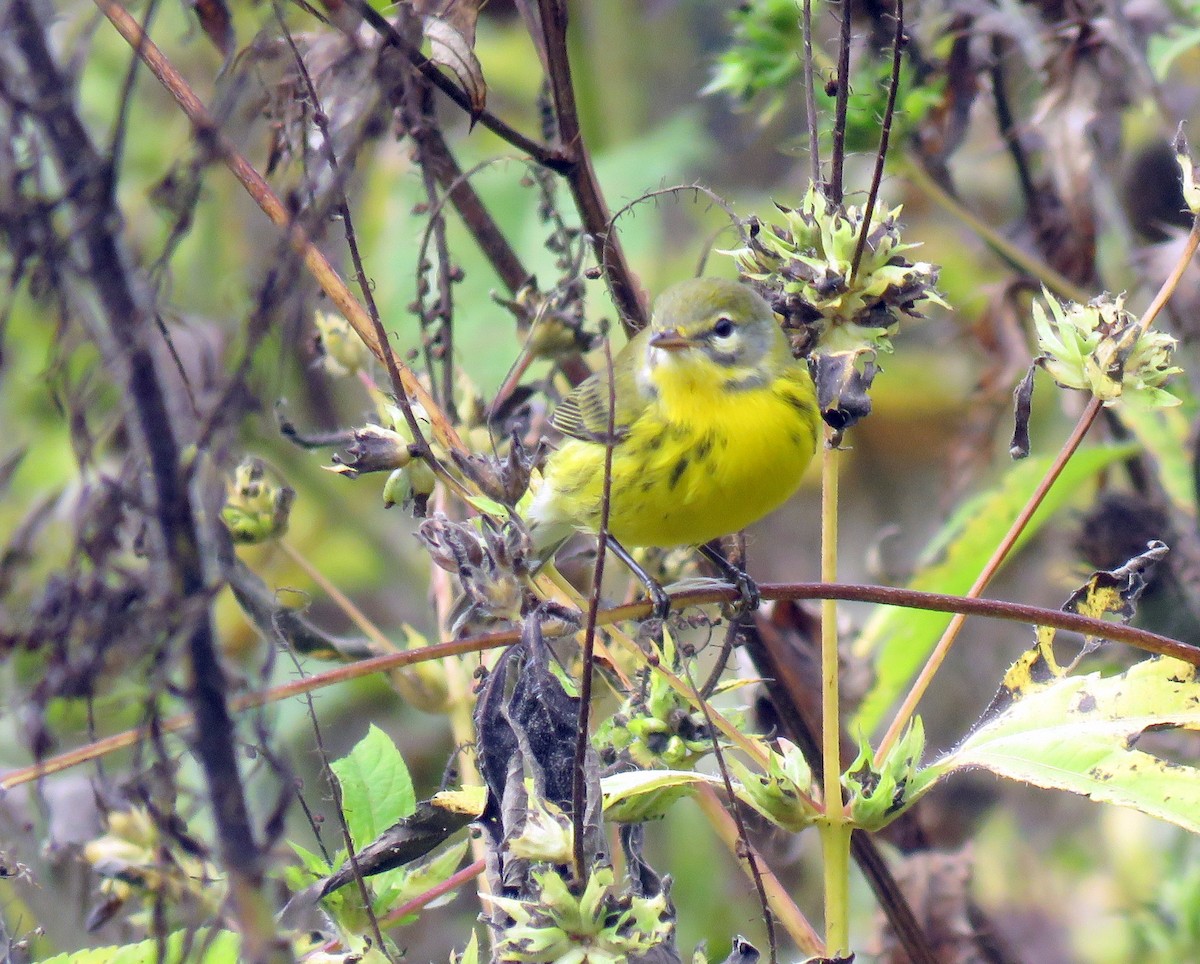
column 807, row 270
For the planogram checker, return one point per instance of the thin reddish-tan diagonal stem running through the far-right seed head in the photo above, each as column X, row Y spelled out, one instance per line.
column 1082, row 427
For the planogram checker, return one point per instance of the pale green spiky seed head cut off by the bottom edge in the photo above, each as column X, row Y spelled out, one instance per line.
column 599, row 926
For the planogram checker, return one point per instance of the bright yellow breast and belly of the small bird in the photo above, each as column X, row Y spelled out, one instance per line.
column 706, row 458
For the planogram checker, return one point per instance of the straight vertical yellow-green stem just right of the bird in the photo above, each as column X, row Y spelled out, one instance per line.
column 835, row 828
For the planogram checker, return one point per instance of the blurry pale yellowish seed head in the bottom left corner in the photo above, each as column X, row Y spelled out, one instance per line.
column 133, row 860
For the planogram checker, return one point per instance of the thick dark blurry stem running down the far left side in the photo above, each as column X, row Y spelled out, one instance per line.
column 177, row 530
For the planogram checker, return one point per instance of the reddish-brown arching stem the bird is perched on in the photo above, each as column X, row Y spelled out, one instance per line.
column 887, row 596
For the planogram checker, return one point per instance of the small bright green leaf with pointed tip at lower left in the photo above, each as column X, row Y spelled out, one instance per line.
column 377, row 791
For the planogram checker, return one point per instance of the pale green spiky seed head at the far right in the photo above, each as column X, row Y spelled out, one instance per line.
column 1100, row 348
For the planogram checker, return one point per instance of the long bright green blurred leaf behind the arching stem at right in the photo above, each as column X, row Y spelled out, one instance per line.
column 897, row 642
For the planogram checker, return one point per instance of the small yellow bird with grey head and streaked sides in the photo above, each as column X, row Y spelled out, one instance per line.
column 713, row 427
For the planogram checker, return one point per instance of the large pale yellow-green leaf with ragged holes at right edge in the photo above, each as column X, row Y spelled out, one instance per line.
column 1079, row 734
